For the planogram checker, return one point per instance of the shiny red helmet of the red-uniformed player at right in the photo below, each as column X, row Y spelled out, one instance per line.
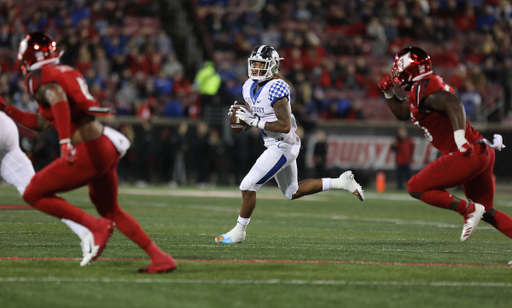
column 411, row 64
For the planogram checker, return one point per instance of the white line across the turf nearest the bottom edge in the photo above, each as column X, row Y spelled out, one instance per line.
column 263, row 282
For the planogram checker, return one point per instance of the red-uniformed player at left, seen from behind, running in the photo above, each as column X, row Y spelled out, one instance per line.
column 90, row 151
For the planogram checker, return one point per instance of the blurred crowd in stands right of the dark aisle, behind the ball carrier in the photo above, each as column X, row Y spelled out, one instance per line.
column 335, row 51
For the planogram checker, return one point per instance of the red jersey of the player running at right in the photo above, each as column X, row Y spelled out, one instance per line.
column 435, row 125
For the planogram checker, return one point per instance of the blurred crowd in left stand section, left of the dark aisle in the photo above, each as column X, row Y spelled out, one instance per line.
column 120, row 48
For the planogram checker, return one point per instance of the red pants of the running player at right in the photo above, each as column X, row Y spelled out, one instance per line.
column 473, row 173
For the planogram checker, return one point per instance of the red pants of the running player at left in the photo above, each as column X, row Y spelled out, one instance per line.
column 95, row 166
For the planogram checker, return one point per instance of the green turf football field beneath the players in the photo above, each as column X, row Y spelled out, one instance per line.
column 389, row 251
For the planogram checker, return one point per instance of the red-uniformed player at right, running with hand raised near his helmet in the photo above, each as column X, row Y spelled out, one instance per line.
column 467, row 159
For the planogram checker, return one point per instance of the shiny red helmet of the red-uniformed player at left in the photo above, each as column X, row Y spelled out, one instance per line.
column 37, row 49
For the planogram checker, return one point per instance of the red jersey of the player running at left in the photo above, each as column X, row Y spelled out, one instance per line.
column 71, row 81
